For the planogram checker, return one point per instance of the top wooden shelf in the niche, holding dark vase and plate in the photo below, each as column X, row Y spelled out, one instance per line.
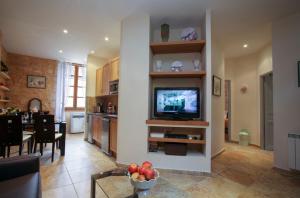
column 174, row 47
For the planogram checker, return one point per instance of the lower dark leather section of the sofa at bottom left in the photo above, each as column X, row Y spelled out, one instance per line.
column 25, row 186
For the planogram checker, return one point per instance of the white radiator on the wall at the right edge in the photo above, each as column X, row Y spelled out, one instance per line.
column 294, row 151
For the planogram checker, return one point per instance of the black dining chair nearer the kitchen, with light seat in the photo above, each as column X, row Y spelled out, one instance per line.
column 45, row 133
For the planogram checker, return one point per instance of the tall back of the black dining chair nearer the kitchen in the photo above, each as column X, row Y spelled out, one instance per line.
column 45, row 128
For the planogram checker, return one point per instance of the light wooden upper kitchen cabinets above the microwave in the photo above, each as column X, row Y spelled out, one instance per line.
column 109, row 72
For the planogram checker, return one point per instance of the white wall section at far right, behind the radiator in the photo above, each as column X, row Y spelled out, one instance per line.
column 286, row 53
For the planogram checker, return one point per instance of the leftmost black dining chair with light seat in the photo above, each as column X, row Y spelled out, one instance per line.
column 12, row 133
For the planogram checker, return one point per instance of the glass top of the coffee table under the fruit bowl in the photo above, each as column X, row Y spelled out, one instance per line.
column 120, row 187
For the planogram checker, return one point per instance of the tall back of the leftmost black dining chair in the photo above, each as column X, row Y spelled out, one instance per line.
column 11, row 132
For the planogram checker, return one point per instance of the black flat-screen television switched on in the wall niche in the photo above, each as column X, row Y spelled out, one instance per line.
column 177, row 103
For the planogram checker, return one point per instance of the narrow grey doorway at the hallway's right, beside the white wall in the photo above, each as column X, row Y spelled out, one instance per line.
column 267, row 112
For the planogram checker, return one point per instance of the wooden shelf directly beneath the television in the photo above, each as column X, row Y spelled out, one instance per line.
column 178, row 123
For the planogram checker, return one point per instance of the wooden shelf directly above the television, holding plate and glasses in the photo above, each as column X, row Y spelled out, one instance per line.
column 178, row 74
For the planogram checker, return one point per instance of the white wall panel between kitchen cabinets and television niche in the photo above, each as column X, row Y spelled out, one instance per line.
column 134, row 90
